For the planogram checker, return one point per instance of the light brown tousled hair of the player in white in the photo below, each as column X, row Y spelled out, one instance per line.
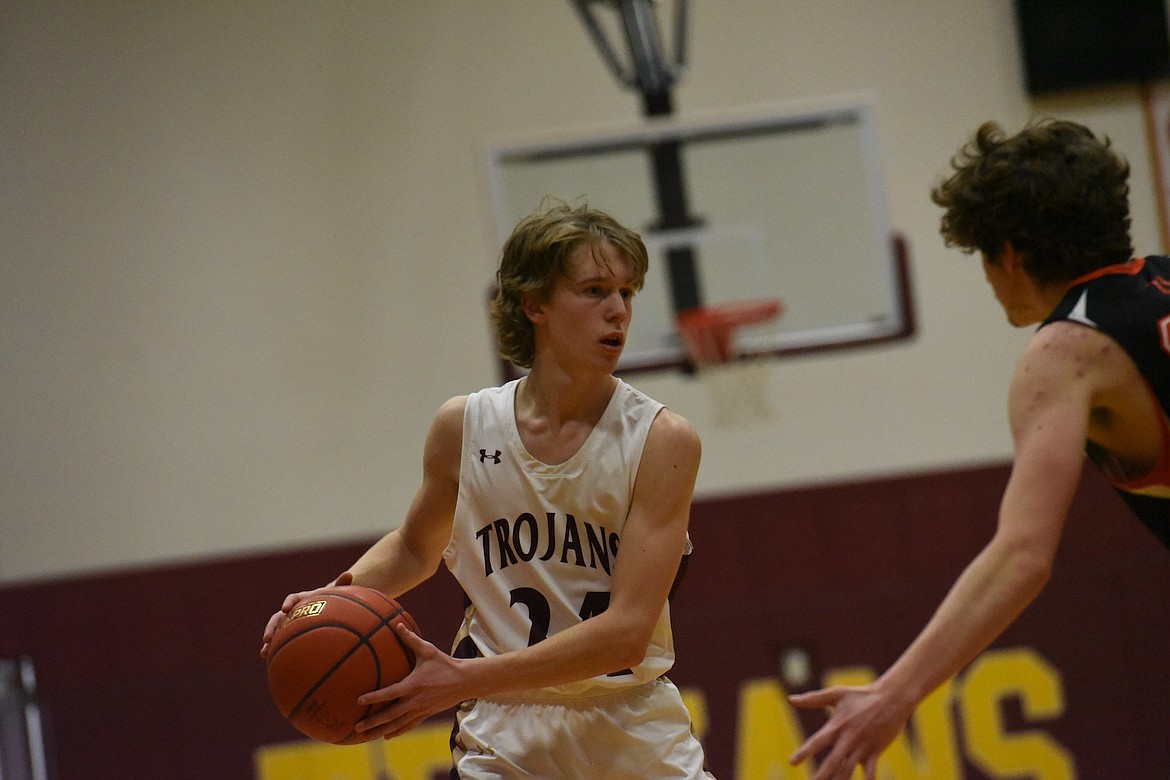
column 536, row 257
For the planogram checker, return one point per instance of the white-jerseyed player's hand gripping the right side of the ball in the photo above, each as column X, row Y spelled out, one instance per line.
column 432, row 687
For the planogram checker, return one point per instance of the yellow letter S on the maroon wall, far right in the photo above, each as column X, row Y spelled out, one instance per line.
column 1023, row 674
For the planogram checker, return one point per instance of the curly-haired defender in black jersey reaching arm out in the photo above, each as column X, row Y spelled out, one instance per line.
column 1049, row 212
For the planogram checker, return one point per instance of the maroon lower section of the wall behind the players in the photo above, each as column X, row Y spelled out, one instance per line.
column 156, row 674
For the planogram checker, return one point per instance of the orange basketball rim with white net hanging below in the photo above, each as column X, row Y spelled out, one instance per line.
column 738, row 388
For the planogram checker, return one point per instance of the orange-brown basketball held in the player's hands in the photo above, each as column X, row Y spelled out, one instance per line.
column 331, row 650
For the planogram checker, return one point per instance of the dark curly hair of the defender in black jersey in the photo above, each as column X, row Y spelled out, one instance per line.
column 1055, row 191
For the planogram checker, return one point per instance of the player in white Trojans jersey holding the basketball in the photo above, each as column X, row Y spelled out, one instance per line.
column 561, row 503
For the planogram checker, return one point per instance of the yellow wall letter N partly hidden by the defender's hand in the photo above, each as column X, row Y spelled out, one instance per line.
column 934, row 754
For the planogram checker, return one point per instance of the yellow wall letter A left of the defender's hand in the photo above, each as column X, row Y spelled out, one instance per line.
column 768, row 734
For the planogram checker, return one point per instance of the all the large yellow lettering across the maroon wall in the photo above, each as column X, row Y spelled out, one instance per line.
column 769, row 731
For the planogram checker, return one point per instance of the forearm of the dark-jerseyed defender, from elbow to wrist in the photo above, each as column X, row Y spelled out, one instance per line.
column 994, row 590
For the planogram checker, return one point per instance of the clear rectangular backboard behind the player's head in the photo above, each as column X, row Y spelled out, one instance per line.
column 786, row 204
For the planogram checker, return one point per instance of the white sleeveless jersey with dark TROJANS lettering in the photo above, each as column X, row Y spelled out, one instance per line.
column 534, row 546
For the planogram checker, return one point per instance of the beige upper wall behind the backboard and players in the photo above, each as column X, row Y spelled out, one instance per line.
column 244, row 251
